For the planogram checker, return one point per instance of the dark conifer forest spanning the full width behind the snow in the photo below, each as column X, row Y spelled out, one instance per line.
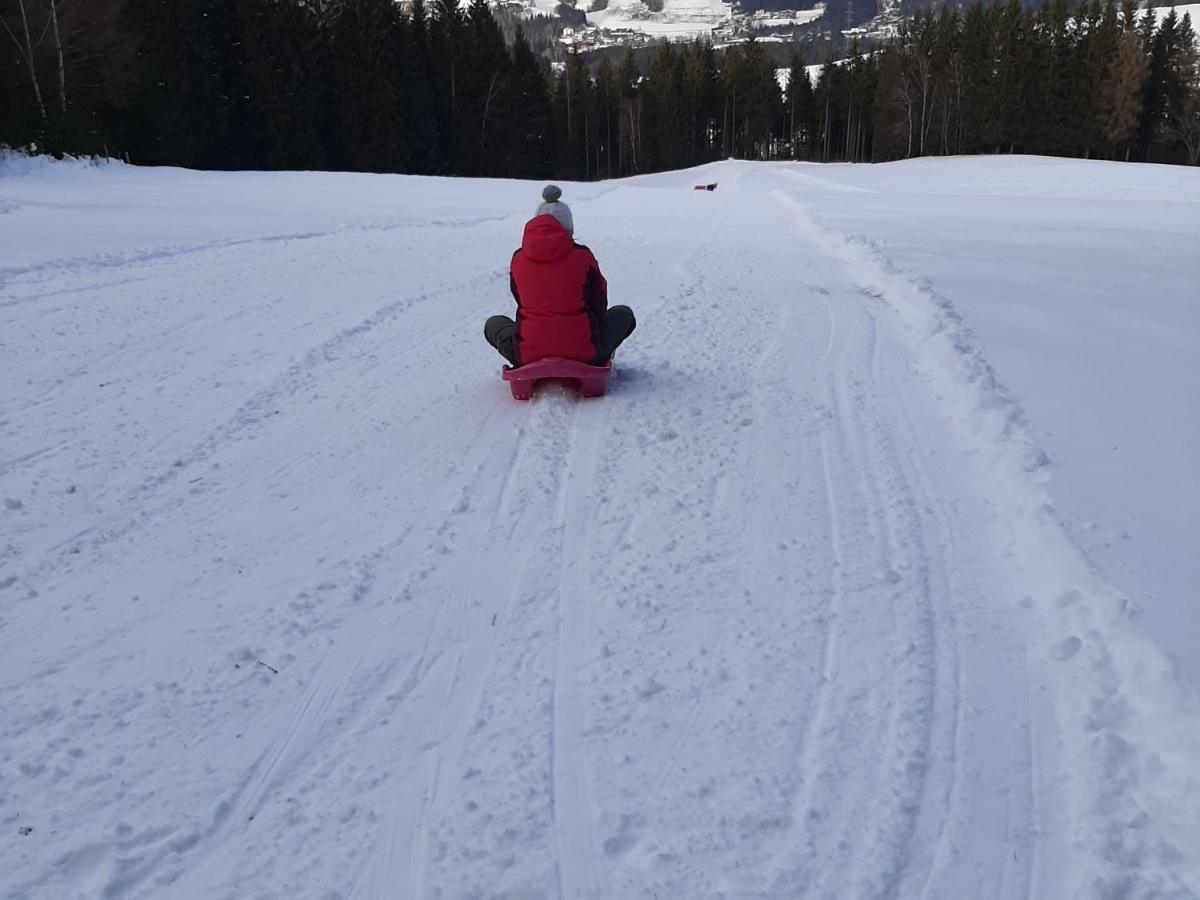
column 369, row 86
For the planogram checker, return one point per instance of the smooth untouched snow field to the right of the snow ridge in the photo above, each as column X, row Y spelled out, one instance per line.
column 1100, row 343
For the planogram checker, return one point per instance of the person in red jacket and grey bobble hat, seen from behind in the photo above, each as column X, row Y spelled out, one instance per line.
column 562, row 297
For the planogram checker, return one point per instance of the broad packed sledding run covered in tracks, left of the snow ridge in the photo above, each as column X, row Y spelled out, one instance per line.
column 739, row 629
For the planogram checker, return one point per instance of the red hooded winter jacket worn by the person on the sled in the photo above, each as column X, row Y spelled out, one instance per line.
column 562, row 297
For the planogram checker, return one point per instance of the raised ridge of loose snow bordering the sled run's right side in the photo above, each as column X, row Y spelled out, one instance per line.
column 1137, row 727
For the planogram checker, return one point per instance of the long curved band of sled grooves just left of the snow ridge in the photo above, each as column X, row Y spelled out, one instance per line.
column 886, row 505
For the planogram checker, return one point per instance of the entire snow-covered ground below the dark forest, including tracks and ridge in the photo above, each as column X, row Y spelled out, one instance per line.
column 842, row 592
